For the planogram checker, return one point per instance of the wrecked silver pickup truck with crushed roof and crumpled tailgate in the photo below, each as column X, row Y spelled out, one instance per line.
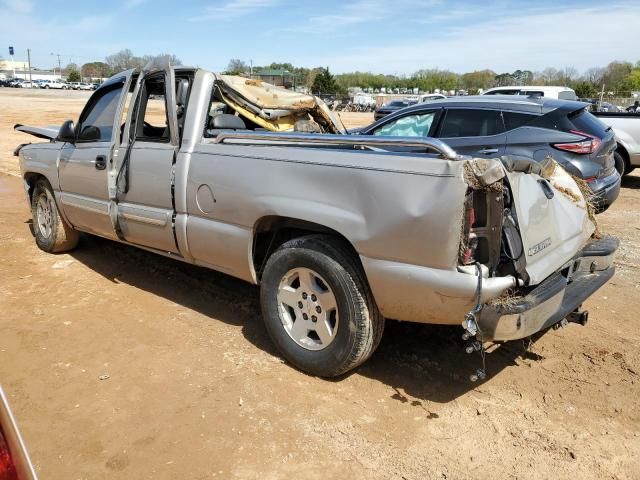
column 339, row 232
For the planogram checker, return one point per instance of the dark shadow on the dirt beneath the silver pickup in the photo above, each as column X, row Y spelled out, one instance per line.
column 424, row 361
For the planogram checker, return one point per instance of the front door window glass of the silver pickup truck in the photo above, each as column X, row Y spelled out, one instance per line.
column 96, row 124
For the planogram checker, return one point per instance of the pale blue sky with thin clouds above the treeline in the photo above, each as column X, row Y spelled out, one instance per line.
column 382, row 36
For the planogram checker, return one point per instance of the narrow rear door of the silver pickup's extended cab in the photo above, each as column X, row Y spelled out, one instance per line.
column 145, row 197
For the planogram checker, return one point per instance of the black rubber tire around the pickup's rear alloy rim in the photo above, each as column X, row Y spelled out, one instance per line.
column 360, row 325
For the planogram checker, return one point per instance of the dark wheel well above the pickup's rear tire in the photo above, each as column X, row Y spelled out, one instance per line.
column 271, row 232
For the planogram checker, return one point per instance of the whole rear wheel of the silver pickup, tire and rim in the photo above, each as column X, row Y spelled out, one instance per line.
column 317, row 306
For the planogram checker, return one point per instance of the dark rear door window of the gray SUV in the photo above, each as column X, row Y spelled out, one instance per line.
column 471, row 123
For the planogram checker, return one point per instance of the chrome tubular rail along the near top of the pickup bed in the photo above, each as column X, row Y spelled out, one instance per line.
column 442, row 148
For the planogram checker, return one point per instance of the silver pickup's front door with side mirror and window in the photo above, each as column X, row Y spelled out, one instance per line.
column 84, row 164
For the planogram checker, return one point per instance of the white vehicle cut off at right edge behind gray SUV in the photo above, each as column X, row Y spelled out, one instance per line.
column 626, row 127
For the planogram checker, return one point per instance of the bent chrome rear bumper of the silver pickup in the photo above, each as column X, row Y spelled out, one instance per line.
column 554, row 299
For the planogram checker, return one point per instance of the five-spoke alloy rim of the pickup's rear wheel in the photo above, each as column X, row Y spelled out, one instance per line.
column 307, row 308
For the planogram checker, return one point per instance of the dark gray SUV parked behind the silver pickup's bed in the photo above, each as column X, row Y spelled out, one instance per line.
column 526, row 127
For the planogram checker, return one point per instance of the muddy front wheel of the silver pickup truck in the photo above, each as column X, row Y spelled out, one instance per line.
column 52, row 233
